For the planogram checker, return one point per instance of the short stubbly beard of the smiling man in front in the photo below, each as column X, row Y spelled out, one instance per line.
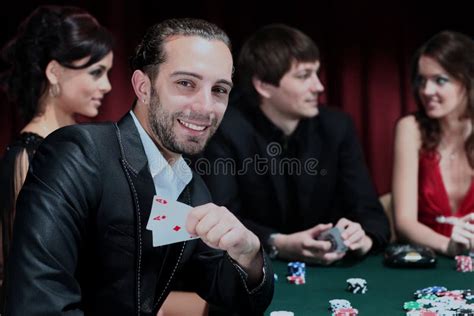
column 162, row 121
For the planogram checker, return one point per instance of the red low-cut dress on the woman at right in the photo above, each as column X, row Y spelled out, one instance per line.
column 432, row 196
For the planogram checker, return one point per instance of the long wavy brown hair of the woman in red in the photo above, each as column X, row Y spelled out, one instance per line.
column 455, row 53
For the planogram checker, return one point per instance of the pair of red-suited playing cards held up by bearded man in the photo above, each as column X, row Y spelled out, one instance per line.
column 168, row 221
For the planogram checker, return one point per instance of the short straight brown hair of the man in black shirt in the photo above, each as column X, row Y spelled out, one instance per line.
column 269, row 53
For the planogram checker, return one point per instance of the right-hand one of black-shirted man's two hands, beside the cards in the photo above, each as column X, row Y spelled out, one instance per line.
column 354, row 236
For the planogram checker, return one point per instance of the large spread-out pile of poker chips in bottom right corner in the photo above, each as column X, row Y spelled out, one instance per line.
column 437, row 300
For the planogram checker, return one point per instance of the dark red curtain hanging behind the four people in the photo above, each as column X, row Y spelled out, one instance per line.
column 366, row 52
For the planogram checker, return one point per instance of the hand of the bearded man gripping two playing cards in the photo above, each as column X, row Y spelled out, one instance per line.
column 220, row 229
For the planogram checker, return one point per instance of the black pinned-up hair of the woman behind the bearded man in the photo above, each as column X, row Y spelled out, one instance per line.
column 61, row 33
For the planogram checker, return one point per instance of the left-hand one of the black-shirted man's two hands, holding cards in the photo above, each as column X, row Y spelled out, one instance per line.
column 303, row 246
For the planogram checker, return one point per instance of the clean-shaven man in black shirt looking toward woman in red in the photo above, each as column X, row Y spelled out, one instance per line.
column 288, row 168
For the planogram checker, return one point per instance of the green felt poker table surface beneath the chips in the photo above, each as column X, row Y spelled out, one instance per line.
column 388, row 288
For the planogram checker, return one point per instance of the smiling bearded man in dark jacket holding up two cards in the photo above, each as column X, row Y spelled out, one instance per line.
column 81, row 244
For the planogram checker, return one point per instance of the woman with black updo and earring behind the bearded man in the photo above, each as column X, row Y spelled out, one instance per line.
column 59, row 62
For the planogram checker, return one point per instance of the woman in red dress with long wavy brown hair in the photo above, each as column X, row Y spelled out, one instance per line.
column 433, row 170
